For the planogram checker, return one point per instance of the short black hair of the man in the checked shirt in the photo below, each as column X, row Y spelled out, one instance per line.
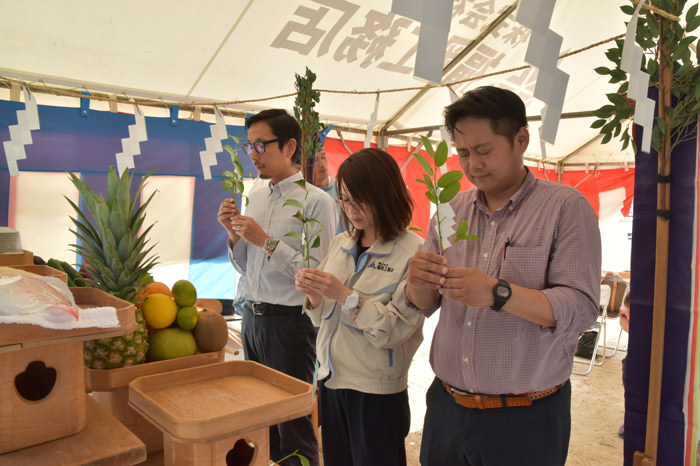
column 502, row 107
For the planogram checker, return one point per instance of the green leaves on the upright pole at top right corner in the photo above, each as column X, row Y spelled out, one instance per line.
column 660, row 39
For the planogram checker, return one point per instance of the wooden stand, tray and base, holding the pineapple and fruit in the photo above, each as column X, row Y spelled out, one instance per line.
column 109, row 387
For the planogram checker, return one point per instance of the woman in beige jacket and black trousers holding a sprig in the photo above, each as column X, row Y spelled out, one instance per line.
column 367, row 336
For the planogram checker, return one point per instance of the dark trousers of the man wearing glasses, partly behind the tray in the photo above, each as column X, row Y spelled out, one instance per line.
column 287, row 343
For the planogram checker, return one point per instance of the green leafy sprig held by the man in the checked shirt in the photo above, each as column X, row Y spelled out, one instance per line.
column 441, row 189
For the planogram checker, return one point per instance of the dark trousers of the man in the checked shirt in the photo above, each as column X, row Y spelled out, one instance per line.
column 536, row 435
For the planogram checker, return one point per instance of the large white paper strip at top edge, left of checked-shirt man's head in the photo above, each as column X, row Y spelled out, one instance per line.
column 435, row 17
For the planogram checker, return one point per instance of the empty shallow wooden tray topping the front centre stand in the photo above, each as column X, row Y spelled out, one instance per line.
column 215, row 401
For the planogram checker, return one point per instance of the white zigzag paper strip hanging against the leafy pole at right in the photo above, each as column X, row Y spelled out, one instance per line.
column 631, row 62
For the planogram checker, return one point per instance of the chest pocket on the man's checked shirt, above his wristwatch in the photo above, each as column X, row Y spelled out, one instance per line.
column 525, row 266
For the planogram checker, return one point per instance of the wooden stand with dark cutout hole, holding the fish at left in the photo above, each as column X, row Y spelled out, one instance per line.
column 42, row 385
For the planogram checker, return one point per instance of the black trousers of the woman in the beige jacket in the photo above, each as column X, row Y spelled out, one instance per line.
column 363, row 429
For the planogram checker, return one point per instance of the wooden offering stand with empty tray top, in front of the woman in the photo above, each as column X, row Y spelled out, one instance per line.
column 215, row 414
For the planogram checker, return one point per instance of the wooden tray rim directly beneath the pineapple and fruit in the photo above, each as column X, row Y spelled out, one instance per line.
column 106, row 380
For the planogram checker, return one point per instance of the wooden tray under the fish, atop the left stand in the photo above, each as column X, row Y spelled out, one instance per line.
column 17, row 336
